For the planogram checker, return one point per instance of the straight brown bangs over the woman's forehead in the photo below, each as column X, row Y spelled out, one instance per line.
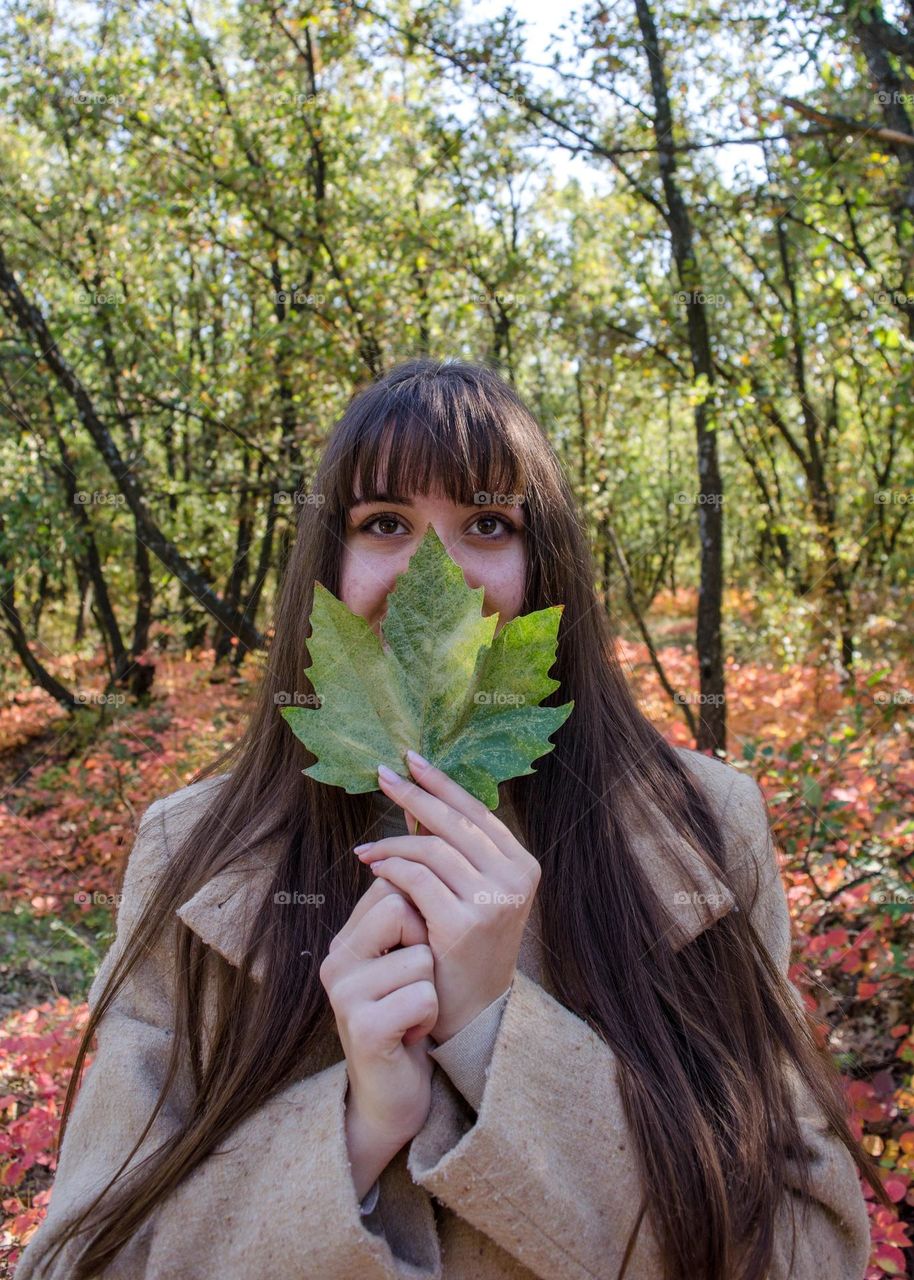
column 433, row 435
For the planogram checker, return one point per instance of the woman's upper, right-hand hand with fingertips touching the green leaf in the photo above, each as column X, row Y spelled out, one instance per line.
column 473, row 883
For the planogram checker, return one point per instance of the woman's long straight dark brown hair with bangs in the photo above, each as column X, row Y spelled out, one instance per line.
column 702, row 1034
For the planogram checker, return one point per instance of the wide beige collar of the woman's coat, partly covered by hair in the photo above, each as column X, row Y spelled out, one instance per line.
column 221, row 912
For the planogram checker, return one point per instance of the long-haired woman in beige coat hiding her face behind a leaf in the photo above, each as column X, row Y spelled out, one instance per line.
column 556, row 1040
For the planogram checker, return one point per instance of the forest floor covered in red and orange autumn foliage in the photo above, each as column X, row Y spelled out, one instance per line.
column 835, row 761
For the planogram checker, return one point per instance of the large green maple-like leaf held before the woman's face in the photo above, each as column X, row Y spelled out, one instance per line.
column 438, row 682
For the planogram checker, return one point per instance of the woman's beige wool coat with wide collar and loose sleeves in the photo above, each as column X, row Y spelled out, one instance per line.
column 541, row 1182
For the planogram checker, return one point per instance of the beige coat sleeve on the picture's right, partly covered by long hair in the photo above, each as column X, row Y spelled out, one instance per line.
column 547, row 1168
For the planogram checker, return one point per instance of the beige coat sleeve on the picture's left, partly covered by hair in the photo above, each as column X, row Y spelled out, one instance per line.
column 276, row 1197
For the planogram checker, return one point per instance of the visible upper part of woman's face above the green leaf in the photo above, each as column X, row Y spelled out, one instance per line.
column 486, row 541
